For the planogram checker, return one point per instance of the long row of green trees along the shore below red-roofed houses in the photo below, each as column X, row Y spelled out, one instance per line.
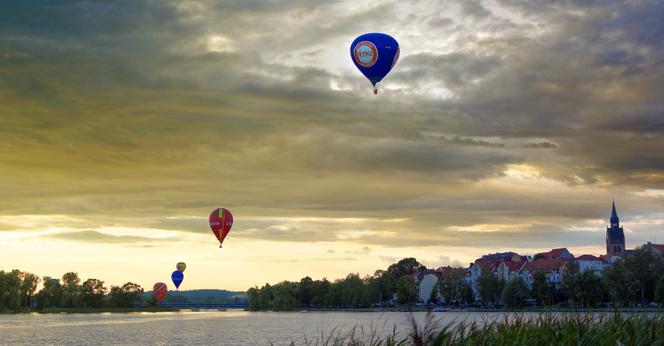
column 635, row 280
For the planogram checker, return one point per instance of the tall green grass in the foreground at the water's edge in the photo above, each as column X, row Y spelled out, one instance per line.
column 543, row 329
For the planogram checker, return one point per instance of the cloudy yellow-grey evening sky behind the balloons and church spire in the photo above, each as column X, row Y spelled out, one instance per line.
column 505, row 125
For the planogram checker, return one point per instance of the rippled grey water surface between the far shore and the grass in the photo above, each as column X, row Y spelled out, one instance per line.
column 207, row 327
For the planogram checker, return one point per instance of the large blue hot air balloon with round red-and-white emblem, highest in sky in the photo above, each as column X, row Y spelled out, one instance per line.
column 374, row 54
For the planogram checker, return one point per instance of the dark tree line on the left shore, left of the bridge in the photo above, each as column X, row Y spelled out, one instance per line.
column 17, row 292
